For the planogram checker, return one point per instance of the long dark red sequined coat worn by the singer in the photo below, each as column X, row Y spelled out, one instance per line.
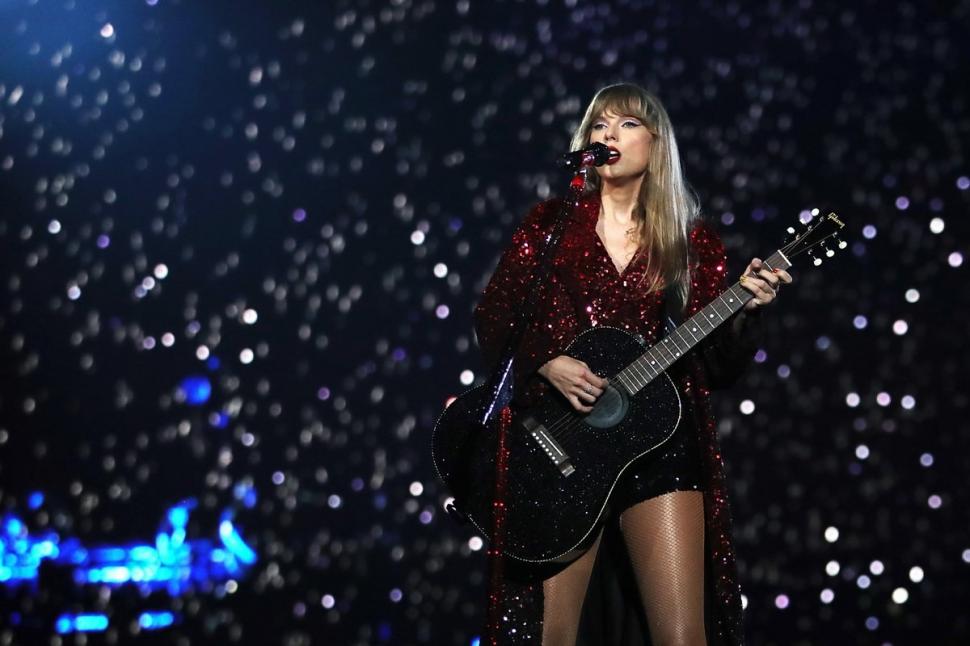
column 584, row 290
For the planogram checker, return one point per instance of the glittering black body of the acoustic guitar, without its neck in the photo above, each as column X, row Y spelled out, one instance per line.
column 562, row 465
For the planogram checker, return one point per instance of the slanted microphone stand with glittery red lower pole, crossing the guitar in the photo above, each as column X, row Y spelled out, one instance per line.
column 500, row 395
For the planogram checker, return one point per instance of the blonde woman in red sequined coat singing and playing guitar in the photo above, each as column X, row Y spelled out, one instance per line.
column 635, row 249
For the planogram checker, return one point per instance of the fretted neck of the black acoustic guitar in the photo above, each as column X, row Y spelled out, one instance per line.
column 691, row 332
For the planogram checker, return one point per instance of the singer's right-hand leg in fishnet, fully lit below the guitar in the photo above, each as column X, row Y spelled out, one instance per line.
column 665, row 539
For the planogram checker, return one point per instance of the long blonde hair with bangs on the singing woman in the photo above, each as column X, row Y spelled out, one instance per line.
column 666, row 206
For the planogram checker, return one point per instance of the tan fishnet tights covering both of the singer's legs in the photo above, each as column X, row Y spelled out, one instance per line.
column 665, row 539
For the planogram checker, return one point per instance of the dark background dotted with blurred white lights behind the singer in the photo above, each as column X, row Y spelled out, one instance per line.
column 315, row 162
